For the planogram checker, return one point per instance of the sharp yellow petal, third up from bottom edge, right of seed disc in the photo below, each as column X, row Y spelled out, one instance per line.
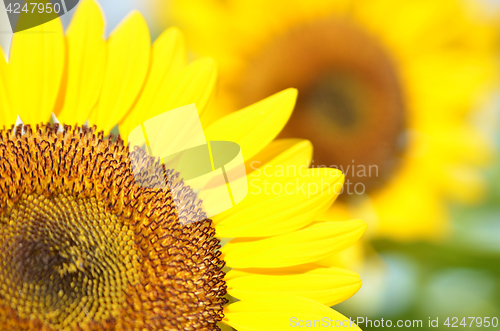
column 307, row 245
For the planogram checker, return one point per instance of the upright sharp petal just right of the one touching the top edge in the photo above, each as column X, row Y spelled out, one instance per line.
column 126, row 70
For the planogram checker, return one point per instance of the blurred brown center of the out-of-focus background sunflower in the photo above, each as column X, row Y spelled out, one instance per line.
column 350, row 103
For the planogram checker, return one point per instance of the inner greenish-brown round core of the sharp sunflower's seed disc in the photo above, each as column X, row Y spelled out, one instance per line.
column 64, row 259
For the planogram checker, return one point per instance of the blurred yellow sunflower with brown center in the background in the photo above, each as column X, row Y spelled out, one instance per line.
column 387, row 92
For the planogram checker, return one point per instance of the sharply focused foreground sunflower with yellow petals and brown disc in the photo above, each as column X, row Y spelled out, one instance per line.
column 91, row 241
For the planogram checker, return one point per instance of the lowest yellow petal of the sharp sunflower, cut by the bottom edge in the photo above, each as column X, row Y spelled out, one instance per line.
column 282, row 312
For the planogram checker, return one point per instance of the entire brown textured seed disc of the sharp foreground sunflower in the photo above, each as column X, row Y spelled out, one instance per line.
column 89, row 240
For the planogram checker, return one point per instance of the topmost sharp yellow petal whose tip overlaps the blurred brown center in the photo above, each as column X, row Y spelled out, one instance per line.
column 257, row 125
